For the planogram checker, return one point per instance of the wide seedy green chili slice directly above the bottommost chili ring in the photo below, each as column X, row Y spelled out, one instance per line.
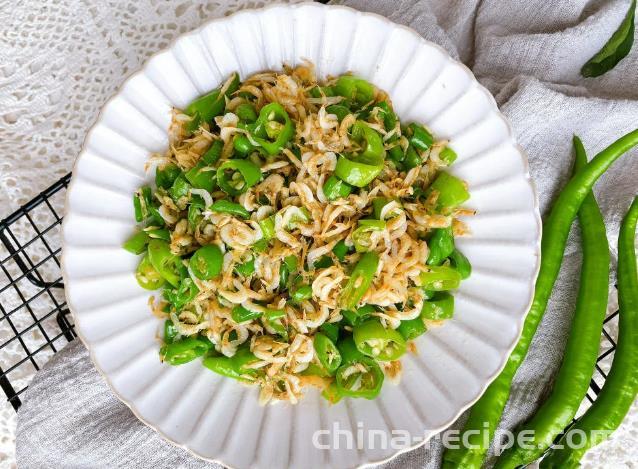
column 378, row 342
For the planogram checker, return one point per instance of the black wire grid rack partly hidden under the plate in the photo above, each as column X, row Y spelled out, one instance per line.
column 33, row 306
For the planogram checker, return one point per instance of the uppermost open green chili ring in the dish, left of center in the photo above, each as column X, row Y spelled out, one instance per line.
column 273, row 129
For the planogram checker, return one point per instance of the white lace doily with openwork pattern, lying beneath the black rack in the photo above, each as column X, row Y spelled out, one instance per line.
column 59, row 62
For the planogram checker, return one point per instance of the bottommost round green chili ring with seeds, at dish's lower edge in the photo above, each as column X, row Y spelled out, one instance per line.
column 354, row 382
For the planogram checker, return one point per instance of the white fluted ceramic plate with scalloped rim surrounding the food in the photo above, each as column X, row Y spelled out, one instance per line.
column 217, row 418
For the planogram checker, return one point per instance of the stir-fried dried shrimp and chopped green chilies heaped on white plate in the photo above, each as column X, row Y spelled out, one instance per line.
column 300, row 233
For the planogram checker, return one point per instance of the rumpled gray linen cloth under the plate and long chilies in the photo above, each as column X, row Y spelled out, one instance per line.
column 528, row 53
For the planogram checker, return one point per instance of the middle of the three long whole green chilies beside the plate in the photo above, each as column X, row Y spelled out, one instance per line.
column 572, row 382
